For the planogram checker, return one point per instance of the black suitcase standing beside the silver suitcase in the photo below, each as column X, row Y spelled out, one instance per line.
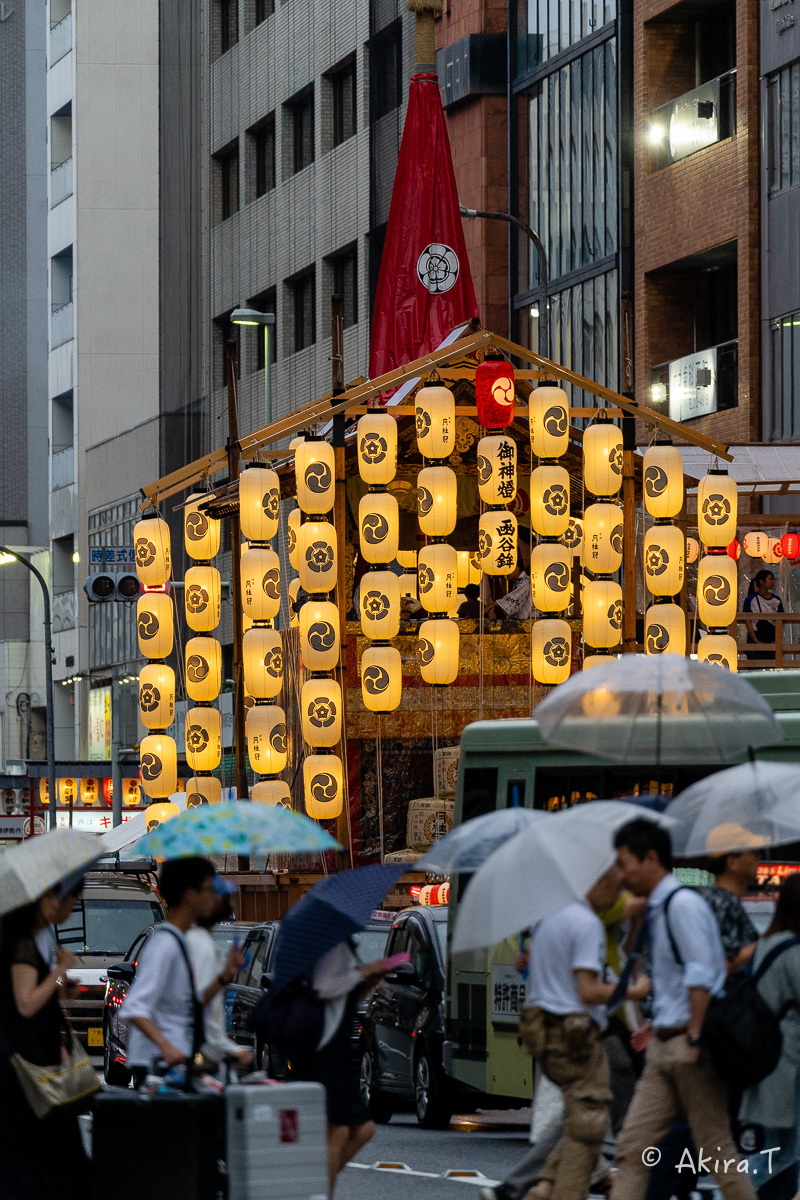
column 159, row 1147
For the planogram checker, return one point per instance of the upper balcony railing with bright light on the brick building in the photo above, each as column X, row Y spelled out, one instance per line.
column 695, row 121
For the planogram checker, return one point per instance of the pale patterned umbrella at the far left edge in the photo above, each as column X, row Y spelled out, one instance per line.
column 38, row 865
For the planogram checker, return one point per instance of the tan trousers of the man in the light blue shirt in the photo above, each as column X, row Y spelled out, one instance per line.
column 673, row 1085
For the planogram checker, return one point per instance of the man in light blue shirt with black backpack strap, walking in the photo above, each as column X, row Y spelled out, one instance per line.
column 689, row 968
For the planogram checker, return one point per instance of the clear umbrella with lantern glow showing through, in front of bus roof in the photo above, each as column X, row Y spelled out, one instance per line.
column 658, row 710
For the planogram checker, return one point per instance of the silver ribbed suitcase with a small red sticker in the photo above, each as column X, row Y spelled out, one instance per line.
column 276, row 1143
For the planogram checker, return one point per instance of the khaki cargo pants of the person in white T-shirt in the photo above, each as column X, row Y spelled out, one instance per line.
column 584, row 1079
